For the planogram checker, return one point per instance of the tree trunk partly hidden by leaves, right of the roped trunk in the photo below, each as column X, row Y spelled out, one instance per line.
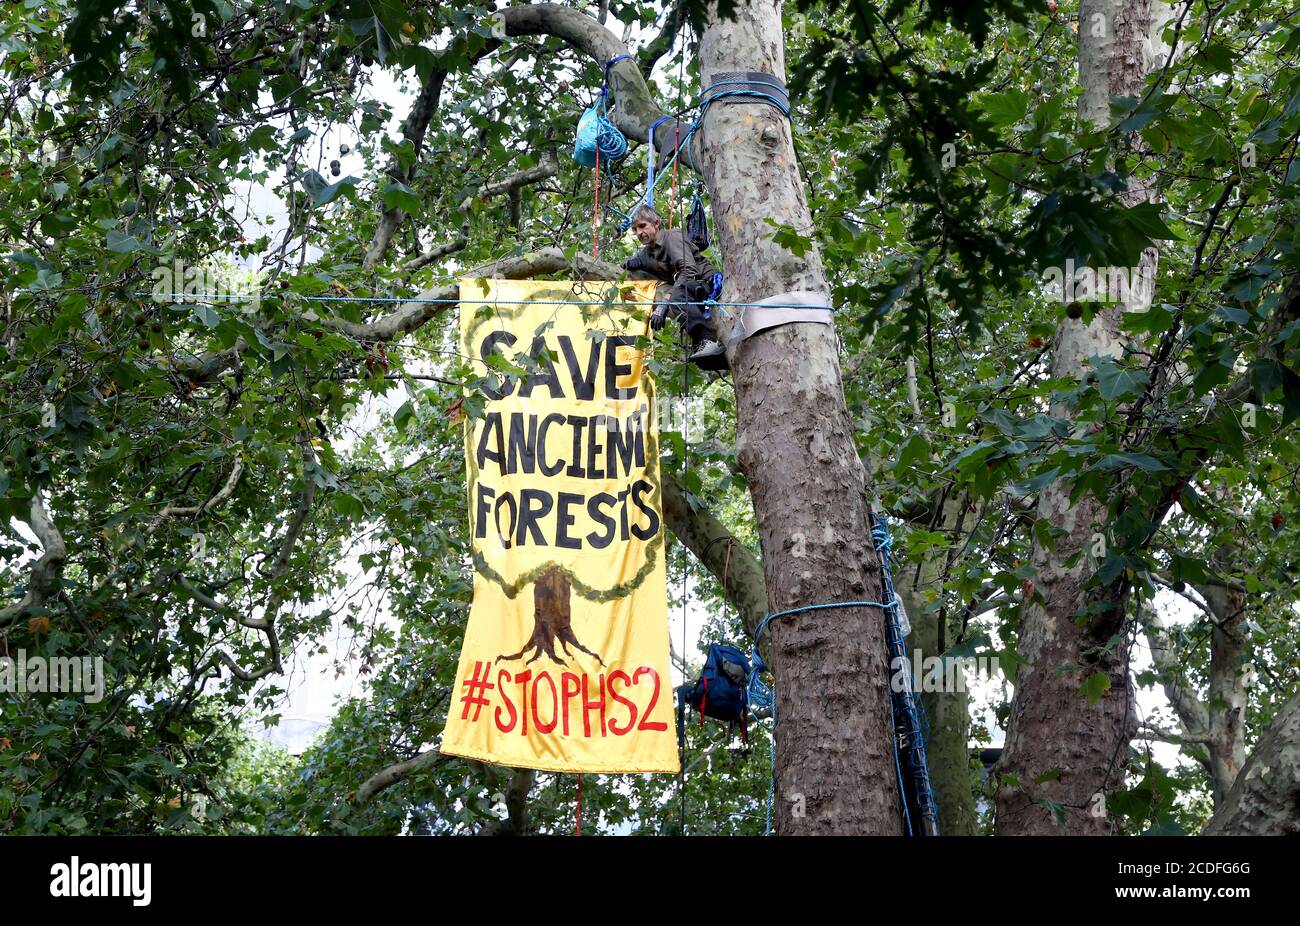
column 1064, row 751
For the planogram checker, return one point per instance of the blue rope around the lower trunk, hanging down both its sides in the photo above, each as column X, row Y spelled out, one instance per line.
column 907, row 715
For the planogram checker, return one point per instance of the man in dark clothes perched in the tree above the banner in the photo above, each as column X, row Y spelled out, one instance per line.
column 669, row 256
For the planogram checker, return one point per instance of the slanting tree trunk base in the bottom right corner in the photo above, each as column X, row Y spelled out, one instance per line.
column 1266, row 800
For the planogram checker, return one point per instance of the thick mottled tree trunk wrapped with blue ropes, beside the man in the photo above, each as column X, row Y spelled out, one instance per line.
column 835, row 771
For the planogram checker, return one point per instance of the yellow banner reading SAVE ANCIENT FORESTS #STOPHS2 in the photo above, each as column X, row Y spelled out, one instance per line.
column 565, row 665
